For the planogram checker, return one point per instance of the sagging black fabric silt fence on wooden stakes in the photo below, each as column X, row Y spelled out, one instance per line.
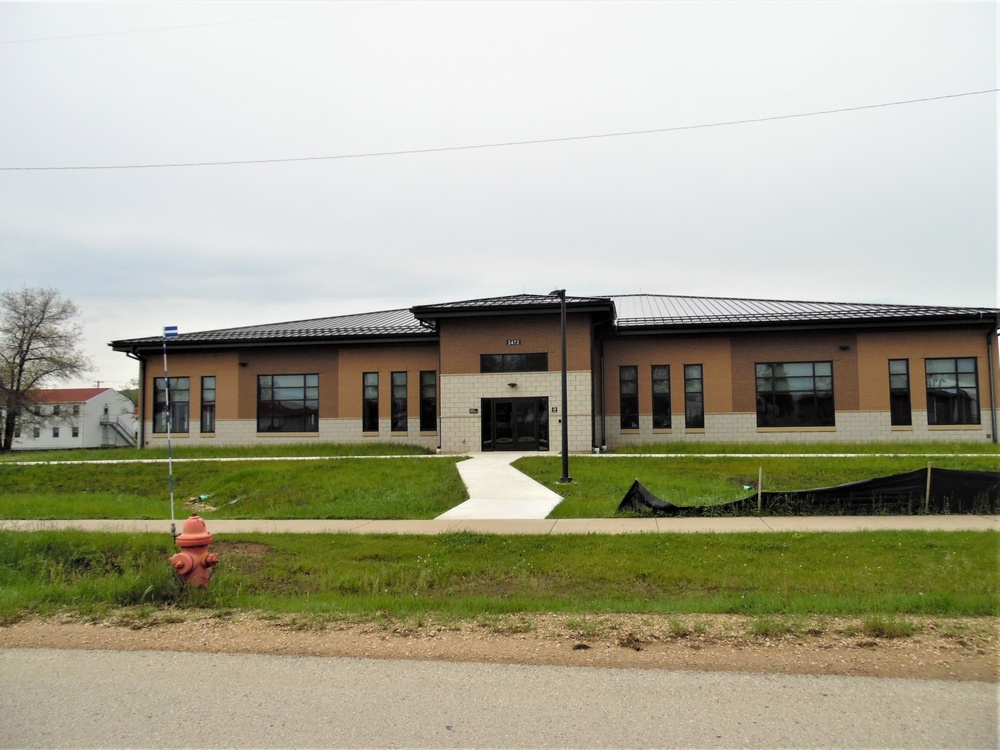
column 952, row 491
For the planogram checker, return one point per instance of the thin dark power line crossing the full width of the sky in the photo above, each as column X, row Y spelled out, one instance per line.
column 503, row 144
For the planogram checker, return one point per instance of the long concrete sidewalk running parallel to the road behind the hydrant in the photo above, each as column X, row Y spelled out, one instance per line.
column 766, row 524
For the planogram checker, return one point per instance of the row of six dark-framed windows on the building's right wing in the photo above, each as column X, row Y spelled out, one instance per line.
column 800, row 394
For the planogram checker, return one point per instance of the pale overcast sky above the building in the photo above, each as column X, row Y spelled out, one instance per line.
column 885, row 204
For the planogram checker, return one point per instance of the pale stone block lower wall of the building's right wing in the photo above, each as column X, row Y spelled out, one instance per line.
column 851, row 427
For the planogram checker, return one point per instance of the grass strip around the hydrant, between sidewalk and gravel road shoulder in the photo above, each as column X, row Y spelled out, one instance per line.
column 470, row 575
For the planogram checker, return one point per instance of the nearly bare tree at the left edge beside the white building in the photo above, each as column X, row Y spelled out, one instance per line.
column 39, row 343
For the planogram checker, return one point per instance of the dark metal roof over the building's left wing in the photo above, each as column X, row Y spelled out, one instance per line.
column 385, row 324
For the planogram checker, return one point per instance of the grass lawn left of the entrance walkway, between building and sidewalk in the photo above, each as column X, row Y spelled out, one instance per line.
column 374, row 488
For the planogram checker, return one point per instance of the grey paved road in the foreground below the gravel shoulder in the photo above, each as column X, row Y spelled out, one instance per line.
column 71, row 699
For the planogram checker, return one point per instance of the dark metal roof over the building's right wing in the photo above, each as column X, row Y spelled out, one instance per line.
column 637, row 311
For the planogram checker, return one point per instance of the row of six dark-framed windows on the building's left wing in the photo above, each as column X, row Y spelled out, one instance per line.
column 290, row 403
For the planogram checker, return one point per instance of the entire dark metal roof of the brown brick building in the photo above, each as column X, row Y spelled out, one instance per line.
column 631, row 313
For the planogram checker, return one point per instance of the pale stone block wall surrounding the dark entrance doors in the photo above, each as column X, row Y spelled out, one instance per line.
column 461, row 431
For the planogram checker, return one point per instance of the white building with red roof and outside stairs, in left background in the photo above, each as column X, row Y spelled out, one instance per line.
column 77, row 418
